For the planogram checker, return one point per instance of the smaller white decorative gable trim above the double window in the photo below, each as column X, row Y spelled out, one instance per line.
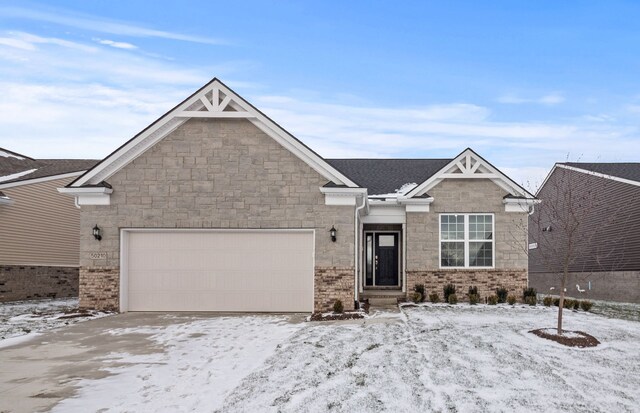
column 470, row 165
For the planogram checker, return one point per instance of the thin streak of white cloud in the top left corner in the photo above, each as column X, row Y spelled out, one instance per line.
column 97, row 24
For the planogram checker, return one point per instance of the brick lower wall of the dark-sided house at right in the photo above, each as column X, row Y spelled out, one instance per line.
column 622, row 286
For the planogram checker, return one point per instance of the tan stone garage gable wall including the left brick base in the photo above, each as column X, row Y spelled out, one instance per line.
column 212, row 173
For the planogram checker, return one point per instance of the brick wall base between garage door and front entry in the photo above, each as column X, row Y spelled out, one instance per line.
column 331, row 284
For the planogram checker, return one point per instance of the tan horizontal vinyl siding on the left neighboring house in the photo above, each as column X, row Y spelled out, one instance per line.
column 41, row 226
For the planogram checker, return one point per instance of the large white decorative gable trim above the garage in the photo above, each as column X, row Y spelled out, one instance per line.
column 213, row 100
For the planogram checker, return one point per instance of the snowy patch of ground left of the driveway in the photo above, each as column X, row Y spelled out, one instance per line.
column 19, row 318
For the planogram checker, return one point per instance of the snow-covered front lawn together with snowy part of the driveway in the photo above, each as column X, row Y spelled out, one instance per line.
column 426, row 358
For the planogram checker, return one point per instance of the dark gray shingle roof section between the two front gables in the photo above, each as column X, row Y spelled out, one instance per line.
column 385, row 176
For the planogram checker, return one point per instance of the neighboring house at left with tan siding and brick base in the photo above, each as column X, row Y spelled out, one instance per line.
column 39, row 227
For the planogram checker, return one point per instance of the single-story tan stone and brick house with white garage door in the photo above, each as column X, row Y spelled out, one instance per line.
column 215, row 207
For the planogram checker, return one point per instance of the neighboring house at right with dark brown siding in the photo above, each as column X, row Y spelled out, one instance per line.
column 606, row 205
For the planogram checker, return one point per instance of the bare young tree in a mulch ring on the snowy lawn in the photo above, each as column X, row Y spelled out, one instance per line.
column 566, row 229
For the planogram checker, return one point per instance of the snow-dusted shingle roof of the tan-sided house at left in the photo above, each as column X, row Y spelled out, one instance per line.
column 10, row 165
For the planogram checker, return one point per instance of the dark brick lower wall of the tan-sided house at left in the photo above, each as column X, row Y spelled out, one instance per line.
column 25, row 282
